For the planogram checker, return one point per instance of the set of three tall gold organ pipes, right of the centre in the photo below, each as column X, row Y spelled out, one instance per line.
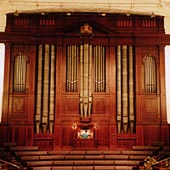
column 125, row 89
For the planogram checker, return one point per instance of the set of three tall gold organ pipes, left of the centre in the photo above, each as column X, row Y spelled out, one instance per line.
column 45, row 97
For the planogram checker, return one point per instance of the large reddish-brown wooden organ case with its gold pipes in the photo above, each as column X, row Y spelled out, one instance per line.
column 84, row 70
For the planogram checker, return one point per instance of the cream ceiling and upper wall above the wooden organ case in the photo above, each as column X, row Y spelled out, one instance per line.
column 140, row 7
